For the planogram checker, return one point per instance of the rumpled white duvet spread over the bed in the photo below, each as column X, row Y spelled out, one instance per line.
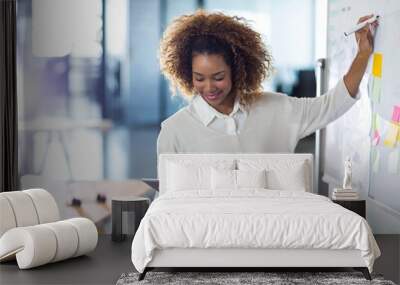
column 252, row 218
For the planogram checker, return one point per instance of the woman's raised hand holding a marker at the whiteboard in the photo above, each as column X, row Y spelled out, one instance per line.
column 364, row 36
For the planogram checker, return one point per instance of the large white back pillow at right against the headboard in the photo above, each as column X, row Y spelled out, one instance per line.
column 281, row 174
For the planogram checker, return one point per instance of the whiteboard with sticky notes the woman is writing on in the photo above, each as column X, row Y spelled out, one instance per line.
column 376, row 167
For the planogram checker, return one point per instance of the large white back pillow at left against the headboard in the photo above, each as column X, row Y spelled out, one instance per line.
column 189, row 176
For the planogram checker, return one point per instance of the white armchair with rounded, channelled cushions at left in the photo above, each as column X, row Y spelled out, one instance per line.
column 30, row 232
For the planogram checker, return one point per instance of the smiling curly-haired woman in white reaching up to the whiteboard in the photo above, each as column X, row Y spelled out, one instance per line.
column 219, row 63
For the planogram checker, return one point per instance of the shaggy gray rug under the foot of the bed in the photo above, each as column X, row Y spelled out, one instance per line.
column 228, row 278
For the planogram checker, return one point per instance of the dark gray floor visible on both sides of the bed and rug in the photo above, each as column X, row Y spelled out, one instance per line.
column 110, row 260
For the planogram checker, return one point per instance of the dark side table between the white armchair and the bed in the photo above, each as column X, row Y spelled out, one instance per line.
column 138, row 205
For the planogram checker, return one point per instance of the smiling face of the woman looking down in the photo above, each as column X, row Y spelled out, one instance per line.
column 211, row 78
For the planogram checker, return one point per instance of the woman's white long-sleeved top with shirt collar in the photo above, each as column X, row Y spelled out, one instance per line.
column 273, row 123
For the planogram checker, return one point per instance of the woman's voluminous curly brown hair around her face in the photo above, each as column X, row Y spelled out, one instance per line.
column 215, row 33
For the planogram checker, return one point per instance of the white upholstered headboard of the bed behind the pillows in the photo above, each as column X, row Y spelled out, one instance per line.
column 277, row 158
